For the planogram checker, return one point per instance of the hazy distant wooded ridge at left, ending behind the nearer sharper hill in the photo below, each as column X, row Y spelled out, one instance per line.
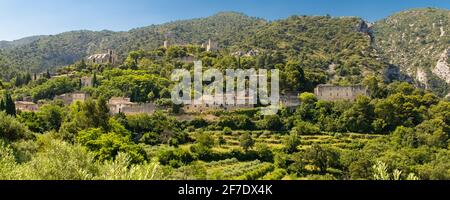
column 66, row 48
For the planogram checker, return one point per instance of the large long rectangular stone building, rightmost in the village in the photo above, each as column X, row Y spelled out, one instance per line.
column 340, row 93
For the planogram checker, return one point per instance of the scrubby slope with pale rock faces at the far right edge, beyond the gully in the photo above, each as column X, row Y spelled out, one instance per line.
column 418, row 42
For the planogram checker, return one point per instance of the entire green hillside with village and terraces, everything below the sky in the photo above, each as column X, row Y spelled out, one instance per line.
column 84, row 104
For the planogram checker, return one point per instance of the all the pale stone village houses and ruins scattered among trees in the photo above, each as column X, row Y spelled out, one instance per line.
column 126, row 106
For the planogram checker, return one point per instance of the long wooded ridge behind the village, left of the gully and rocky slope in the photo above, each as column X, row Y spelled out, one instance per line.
column 340, row 47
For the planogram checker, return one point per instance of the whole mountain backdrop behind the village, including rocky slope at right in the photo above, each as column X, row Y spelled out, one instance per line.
column 414, row 41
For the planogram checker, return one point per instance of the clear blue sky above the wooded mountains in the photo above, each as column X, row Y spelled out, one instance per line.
column 20, row 18
